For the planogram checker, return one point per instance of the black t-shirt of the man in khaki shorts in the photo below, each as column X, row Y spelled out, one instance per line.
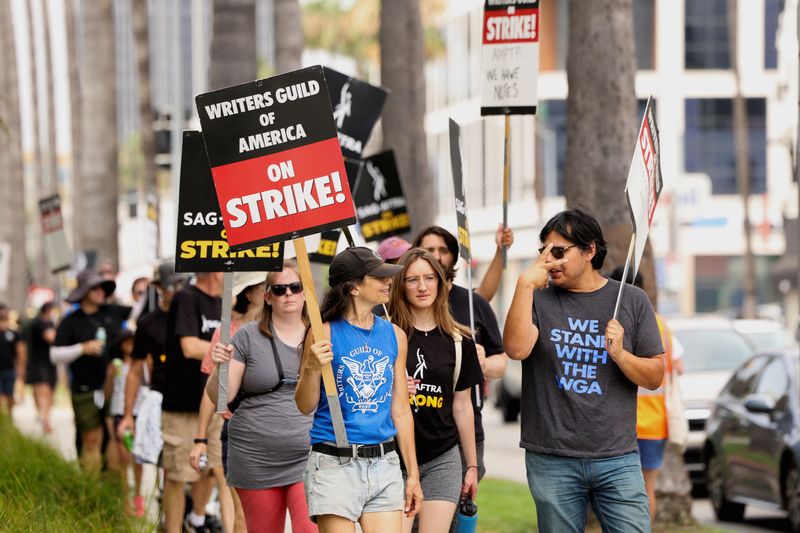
column 192, row 313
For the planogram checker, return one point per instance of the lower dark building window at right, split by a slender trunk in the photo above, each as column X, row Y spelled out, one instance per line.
column 709, row 142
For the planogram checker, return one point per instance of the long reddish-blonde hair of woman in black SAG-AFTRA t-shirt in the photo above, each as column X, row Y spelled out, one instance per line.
column 399, row 308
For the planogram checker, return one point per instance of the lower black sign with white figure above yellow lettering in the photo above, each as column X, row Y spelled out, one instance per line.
column 378, row 195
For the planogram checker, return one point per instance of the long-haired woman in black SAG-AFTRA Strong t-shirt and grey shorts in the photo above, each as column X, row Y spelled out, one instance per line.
column 444, row 365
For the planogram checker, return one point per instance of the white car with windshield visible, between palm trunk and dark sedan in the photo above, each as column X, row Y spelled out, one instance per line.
column 712, row 349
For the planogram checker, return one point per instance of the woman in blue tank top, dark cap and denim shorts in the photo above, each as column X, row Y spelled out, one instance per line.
column 362, row 482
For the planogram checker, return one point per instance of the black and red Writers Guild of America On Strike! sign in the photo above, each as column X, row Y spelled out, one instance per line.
column 275, row 157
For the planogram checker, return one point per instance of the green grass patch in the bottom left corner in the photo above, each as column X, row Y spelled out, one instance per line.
column 40, row 492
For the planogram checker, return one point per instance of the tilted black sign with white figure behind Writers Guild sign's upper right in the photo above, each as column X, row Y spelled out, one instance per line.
column 356, row 107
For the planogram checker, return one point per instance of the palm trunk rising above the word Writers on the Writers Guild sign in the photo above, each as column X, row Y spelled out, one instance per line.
column 233, row 46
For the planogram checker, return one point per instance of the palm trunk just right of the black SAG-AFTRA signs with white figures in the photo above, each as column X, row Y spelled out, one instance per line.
column 403, row 124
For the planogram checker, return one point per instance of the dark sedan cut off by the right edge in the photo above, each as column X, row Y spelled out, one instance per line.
column 752, row 450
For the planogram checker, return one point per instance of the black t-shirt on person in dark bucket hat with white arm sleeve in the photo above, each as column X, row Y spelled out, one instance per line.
column 89, row 371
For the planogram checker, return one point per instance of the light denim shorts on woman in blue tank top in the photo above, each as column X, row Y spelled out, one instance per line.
column 349, row 490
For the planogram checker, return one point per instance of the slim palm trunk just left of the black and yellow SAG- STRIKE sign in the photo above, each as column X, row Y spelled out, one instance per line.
column 147, row 133
